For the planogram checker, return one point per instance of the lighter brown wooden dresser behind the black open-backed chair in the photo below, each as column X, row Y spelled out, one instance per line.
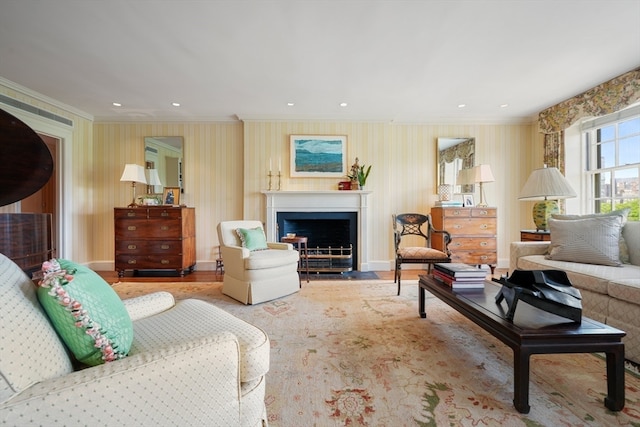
column 473, row 234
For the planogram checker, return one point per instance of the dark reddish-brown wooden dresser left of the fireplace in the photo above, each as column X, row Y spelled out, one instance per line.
column 155, row 238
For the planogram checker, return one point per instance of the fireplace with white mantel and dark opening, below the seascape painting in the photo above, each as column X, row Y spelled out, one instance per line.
column 304, row 209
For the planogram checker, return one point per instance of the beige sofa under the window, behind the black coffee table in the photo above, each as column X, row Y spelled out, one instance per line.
column 609, row 294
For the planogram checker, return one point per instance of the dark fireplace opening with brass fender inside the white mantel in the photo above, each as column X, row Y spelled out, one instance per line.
column 332, row 238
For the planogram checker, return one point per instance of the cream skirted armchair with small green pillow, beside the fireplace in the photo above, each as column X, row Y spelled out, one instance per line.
column 252, row 277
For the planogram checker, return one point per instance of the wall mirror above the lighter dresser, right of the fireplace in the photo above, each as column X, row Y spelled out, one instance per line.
column 455, row 154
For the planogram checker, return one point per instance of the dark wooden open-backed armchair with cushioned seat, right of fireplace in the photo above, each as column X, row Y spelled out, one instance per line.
column 410, row 225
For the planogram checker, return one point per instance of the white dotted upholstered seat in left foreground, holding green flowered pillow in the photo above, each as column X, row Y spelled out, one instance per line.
column 190, row 363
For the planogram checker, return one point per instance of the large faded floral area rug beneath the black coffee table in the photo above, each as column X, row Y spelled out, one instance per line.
column 355, row 354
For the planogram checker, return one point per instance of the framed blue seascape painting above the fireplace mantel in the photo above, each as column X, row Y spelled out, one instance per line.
column 319, row 156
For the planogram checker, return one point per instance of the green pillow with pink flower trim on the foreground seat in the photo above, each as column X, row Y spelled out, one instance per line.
column 85, row 311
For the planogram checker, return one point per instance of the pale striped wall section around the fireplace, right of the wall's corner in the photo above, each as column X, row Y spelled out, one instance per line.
column 403, row 175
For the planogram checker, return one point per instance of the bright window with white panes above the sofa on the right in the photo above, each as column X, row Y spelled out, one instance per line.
column 613, row 162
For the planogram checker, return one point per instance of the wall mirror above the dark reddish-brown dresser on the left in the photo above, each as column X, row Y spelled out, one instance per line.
column 165, row 154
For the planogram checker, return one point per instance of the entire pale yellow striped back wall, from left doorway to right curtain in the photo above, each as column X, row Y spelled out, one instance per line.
column 225, row 166
